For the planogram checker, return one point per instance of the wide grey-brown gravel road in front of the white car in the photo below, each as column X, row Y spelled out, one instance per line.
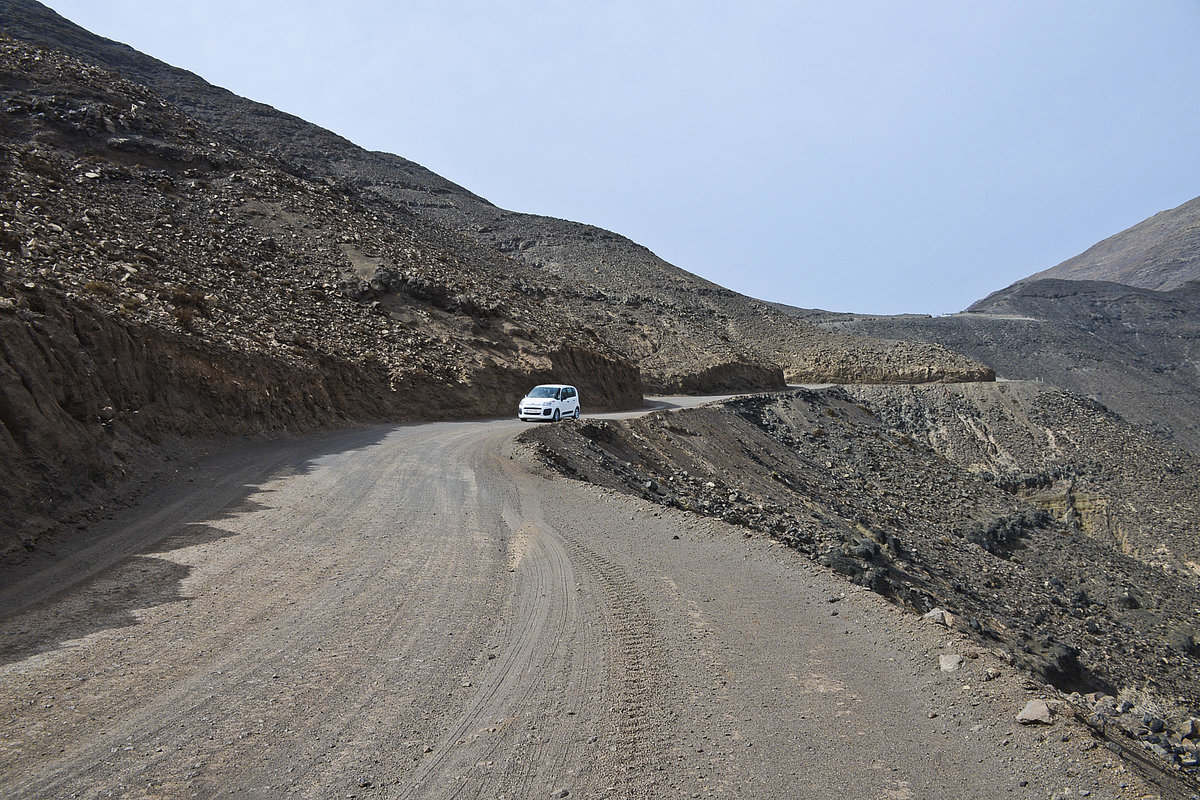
column 422, row 612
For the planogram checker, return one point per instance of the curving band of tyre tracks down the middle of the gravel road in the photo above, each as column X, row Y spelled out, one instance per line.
column 581, row 621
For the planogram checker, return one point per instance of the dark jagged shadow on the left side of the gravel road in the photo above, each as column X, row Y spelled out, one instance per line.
column 104, row 575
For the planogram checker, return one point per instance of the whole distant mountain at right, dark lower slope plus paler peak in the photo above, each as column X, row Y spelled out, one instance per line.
column 1119, row 323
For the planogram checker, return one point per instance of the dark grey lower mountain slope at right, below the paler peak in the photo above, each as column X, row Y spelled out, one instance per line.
column 1133, row 350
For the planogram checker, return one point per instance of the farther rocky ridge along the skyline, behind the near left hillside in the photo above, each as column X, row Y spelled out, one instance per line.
column 683, row 333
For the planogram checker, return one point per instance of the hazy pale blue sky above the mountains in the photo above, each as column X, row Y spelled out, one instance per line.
column 879, row 157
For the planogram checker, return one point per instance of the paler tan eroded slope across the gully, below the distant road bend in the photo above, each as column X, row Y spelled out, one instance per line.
column 1127, row 489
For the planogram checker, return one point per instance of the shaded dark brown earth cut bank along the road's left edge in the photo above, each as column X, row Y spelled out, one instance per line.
column 86, row 400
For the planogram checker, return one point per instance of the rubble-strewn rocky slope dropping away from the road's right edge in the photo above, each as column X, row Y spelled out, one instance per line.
column 850, row 479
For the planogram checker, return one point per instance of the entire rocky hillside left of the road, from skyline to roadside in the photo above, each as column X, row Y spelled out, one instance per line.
column 181, row 262
